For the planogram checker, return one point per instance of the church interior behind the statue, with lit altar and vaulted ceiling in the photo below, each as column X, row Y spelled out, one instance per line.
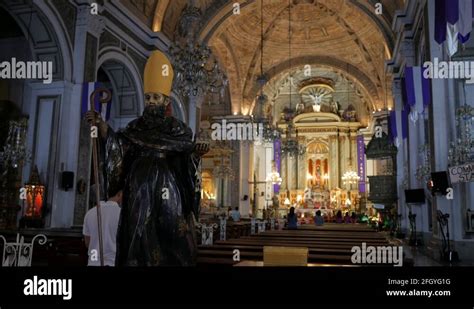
column 320, row 107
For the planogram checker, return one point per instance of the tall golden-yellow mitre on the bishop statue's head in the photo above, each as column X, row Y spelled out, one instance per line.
column 158, row 74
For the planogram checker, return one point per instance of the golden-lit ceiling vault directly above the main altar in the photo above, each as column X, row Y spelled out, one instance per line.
column 342, row 34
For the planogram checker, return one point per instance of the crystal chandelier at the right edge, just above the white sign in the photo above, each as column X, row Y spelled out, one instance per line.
column 461, row 151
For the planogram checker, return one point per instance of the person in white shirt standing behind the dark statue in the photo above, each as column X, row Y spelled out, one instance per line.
column 110, row 215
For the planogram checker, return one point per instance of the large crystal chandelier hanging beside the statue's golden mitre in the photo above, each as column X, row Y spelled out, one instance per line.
column 197, row 71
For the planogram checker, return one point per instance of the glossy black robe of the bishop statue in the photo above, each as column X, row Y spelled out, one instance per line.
column 153, row 161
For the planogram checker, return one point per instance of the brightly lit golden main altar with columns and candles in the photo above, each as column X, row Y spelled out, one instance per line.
column 315, row 176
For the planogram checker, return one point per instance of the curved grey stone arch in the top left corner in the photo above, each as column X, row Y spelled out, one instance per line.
column 46, row 36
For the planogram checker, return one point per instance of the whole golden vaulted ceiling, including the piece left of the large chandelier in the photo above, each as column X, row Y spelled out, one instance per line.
column 346, row 36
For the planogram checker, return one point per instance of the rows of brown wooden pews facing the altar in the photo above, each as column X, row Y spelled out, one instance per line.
column 331, row 243
